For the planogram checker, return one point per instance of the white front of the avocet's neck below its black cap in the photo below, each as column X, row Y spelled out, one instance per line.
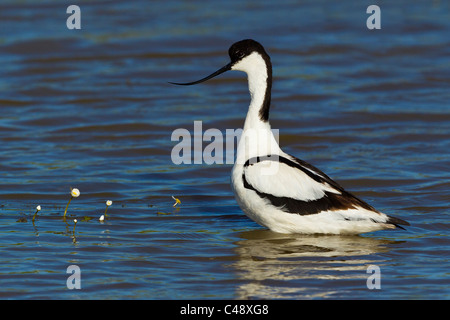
column 257, row 138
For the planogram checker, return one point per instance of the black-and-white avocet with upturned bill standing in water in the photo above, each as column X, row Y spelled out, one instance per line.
column 277, row 190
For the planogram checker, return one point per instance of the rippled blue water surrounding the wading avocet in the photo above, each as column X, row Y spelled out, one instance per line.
column 91, row 109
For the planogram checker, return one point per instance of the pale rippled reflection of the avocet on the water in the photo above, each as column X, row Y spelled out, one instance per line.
column 285, row 266
